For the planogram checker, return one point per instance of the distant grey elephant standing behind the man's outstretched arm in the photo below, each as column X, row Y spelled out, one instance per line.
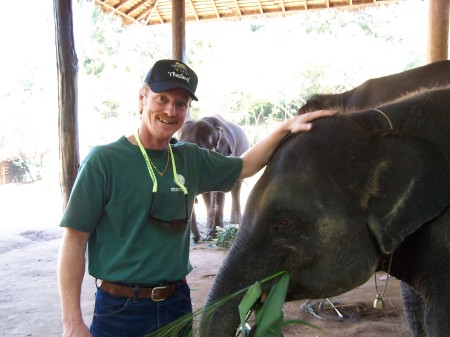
column 225, row 137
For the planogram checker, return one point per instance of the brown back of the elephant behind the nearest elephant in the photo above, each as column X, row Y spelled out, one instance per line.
column 375, row 91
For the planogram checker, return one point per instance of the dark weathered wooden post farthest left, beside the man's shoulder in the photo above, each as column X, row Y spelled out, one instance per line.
column 67, row 69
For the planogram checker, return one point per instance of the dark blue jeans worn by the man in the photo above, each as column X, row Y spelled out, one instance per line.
column 126, row 317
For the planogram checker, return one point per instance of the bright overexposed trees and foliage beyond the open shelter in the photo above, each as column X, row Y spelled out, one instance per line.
column 253, row 71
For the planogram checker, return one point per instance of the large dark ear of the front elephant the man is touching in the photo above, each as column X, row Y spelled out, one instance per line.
column 408, row 187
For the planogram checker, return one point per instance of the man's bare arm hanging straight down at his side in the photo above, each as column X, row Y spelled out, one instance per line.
column 71, row 266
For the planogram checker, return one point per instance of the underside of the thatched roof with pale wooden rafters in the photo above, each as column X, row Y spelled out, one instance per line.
column 153, row 12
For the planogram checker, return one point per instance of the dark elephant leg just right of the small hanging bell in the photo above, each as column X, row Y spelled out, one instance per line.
column 413, row 309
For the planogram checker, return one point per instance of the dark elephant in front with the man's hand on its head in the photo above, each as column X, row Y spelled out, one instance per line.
column 335, row 202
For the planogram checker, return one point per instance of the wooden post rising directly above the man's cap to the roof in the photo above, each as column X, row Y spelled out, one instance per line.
column 178, row 30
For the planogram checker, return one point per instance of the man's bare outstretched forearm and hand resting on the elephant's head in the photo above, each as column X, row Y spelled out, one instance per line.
column 255, row 158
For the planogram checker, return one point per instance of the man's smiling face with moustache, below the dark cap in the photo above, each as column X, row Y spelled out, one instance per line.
column 163, row 113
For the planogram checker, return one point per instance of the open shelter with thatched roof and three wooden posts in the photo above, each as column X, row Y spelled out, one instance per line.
column 177, row 13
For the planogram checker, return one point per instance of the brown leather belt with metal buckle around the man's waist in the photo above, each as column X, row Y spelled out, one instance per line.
column 156, row 293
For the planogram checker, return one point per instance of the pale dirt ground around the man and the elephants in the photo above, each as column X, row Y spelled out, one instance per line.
column 29, row 303
